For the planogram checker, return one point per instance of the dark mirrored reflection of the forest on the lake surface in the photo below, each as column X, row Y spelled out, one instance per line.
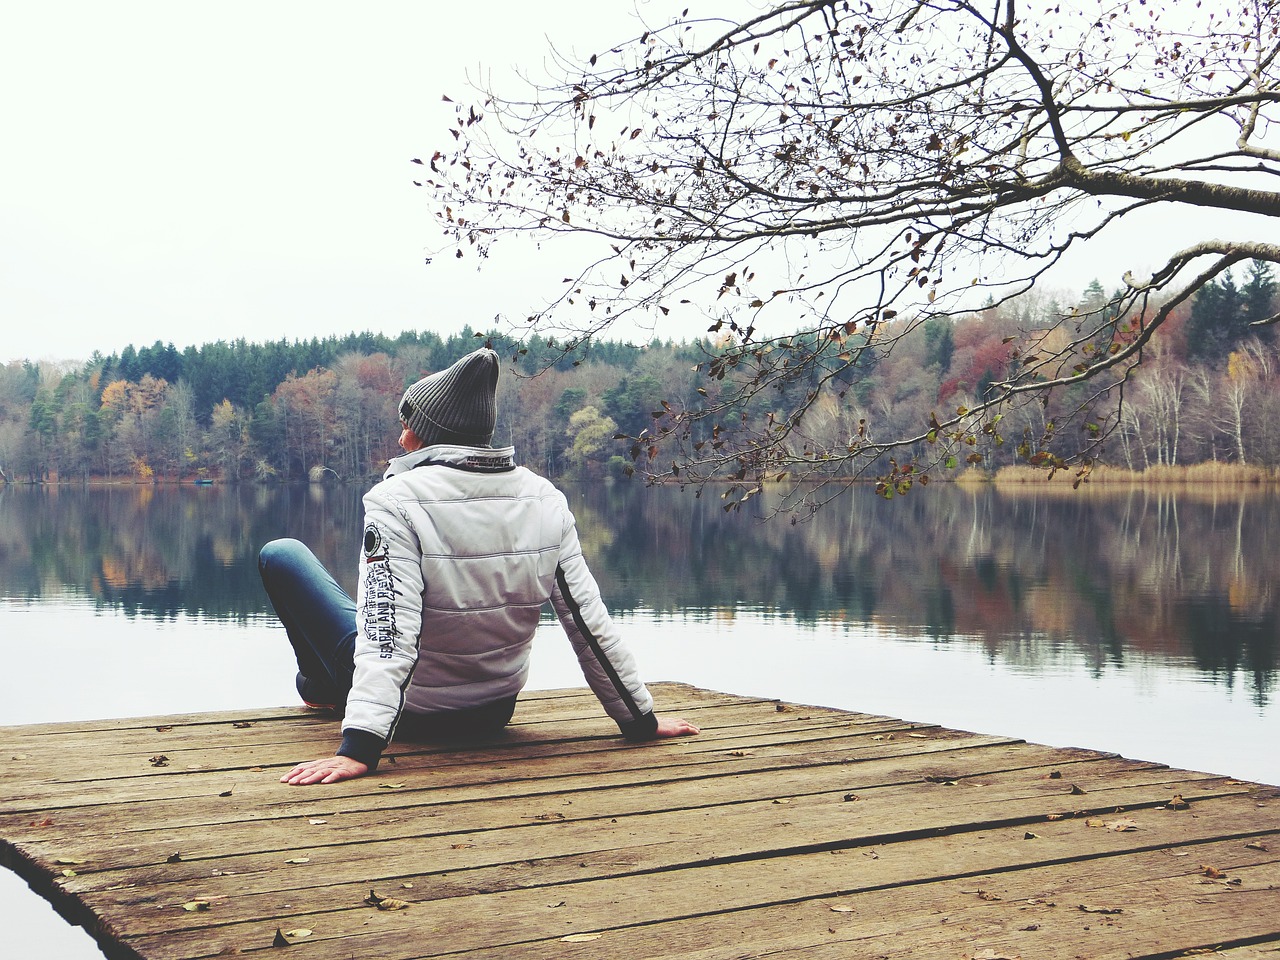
column 1182, row 577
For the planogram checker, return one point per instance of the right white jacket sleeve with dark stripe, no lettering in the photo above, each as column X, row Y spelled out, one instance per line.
column 607, row 664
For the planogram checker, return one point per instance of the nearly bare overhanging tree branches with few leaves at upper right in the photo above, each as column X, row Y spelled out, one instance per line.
column 802, row 177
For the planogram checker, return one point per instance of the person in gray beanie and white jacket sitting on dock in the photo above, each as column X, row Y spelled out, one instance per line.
column 461, row 551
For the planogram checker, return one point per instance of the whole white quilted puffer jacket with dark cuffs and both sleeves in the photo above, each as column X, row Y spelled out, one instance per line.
column 461, row 551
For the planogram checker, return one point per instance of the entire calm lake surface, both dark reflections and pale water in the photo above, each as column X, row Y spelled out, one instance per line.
column 1139, row 621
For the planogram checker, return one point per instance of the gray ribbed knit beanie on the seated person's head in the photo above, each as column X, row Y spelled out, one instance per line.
column 456, row 405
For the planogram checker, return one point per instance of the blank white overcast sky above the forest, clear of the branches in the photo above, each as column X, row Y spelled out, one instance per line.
column 189, row 173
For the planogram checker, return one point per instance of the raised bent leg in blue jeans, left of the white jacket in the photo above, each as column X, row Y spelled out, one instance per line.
column 318, row 615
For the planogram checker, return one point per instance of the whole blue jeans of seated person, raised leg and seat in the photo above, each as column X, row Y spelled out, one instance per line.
column 319, row 619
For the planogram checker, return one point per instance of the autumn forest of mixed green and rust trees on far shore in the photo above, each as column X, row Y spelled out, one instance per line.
column 326, row 409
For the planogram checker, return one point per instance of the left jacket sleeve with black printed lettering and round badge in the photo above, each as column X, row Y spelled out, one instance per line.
column 388, row 620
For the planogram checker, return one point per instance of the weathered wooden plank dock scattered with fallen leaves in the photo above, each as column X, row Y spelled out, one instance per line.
column 781, row 833
